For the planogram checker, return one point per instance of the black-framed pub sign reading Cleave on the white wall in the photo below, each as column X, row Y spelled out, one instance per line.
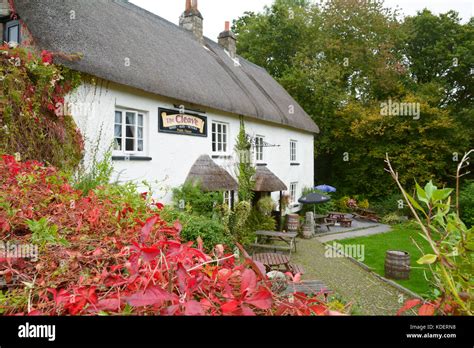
column 183, row 123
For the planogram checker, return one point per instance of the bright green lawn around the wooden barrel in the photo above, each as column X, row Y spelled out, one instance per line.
column 399, row 239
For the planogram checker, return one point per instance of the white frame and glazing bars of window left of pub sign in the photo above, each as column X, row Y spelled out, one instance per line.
column 136, row 139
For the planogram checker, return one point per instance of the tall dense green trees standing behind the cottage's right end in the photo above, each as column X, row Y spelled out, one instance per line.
column 343, row 60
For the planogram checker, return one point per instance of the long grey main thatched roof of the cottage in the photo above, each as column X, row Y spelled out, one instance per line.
column 164, row 59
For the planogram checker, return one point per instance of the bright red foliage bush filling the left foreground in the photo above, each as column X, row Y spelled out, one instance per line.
column 114, row 266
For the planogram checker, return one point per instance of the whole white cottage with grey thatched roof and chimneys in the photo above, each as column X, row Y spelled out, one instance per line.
column 164, row 95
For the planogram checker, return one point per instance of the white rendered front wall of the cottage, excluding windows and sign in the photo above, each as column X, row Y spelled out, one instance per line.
column 93, row 108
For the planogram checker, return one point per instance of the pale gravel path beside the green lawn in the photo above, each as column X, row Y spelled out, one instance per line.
column 368, row 294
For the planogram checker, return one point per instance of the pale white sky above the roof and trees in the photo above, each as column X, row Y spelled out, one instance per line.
column 216, row 12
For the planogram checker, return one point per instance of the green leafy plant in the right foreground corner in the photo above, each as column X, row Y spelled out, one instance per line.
column 452, row 246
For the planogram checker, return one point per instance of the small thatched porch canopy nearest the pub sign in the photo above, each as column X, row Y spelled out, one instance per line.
column 210, row 176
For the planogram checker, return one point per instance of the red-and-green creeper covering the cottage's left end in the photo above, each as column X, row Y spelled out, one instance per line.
column 32, row 119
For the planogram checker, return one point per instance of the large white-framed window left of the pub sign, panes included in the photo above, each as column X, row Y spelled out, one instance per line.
column 128, row 136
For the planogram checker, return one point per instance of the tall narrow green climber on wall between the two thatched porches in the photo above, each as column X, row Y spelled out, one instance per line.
column 245, row 169
